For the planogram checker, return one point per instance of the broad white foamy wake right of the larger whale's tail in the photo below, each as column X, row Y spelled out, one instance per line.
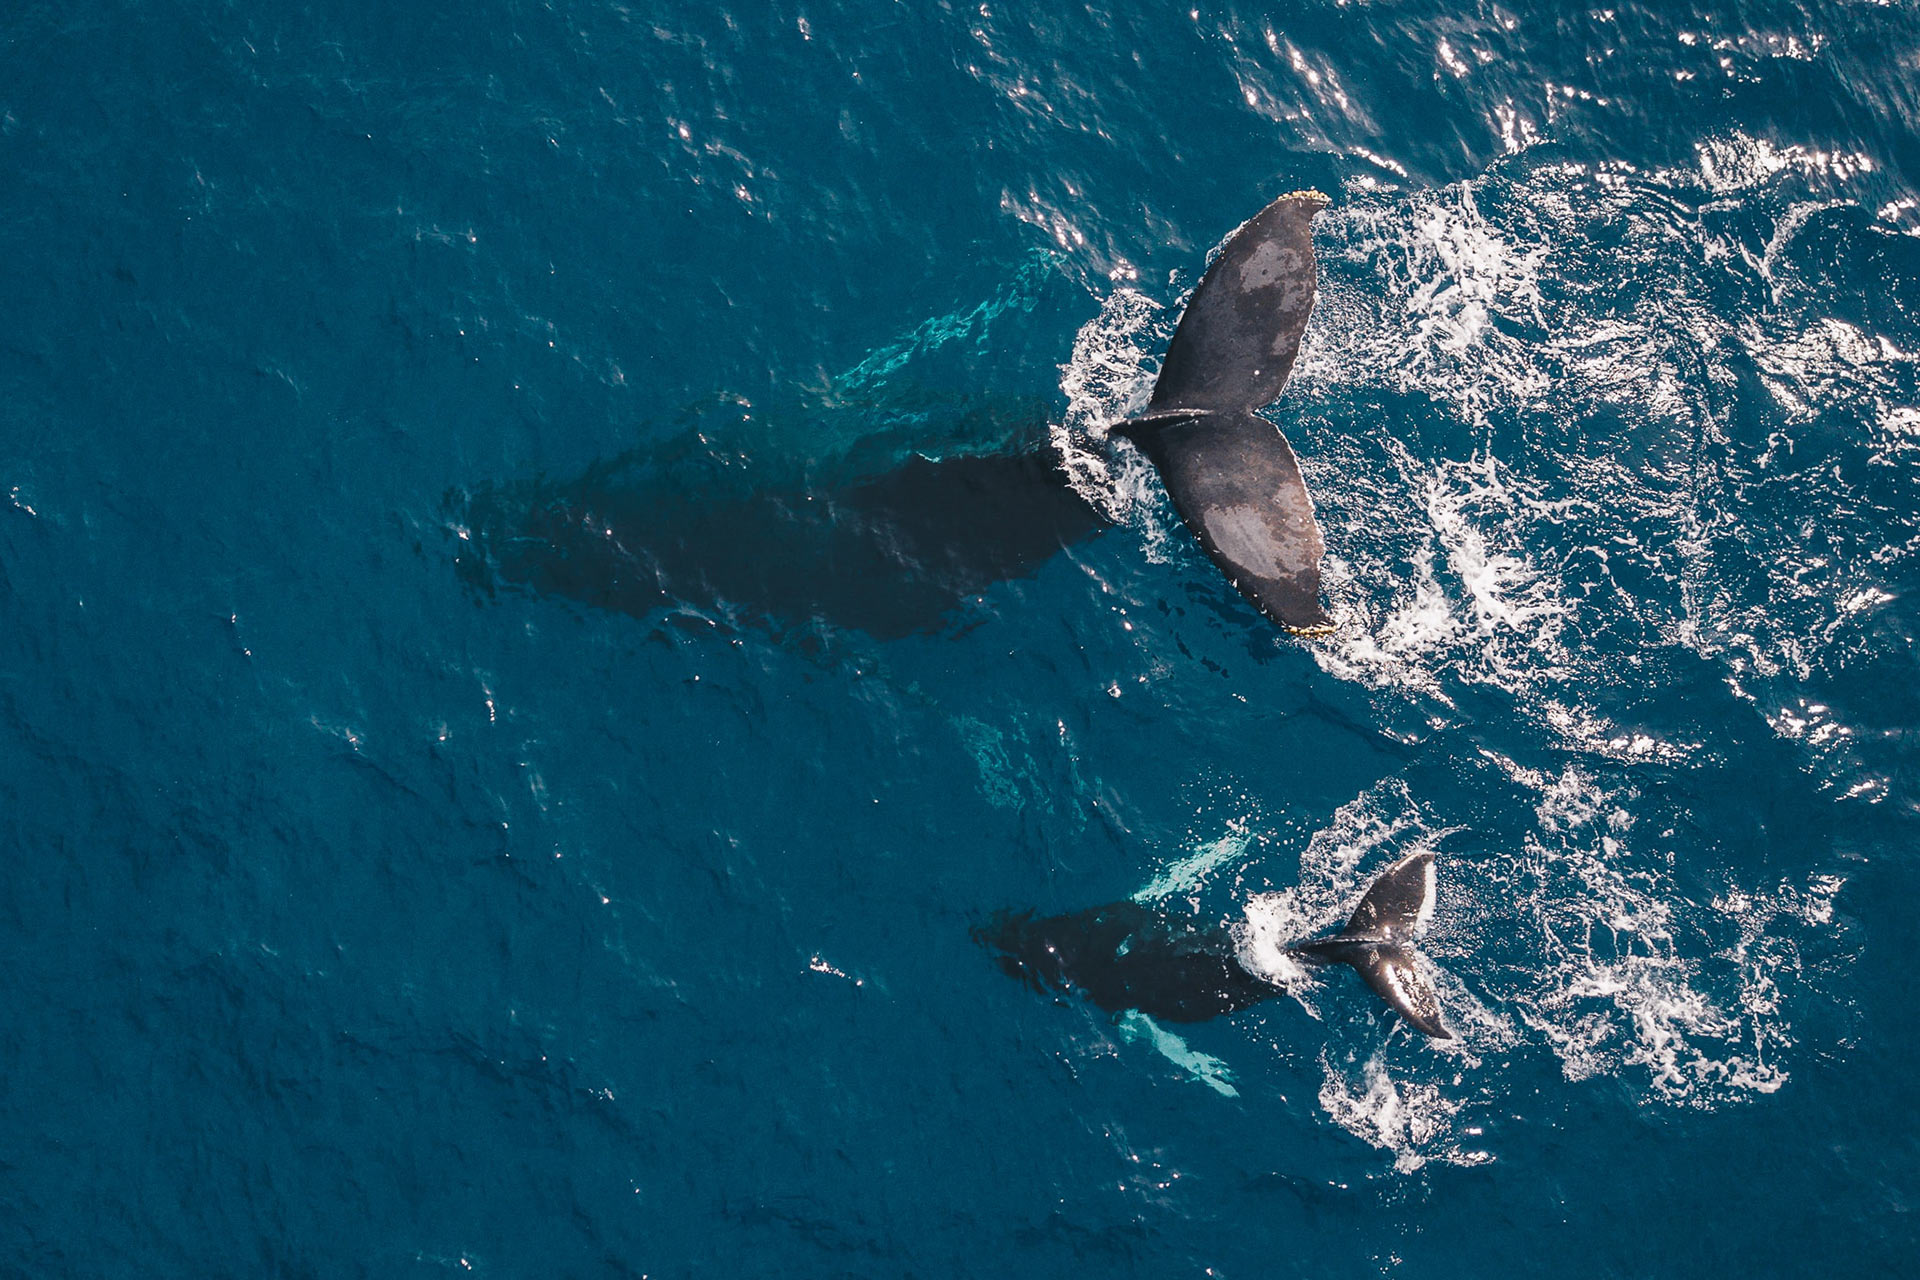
column 1516, row 408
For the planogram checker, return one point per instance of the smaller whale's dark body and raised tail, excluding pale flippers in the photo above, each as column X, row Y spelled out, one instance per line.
column 1130, row 957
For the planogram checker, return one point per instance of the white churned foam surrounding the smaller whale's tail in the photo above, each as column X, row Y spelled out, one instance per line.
column 1577, row 943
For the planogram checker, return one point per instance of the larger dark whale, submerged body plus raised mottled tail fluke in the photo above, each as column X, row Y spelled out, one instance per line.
column 898, row 548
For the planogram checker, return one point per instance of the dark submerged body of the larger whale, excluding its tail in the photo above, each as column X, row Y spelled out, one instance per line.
column 690, row 529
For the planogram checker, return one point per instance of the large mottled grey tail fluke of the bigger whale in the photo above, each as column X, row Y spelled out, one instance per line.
column 1232, row 473
